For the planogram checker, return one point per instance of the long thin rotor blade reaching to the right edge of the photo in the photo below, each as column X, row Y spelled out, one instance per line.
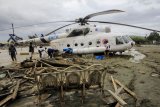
column 114, row 23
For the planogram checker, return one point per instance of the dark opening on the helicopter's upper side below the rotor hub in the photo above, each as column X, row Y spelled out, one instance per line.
column 78, row 32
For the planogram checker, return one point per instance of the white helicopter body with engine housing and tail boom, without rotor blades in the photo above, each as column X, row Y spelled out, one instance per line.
column 86, row 39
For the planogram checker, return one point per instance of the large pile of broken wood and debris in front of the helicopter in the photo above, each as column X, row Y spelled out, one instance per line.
column 46, row 77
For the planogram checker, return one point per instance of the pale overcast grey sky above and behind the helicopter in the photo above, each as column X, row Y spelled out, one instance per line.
column 145, row 13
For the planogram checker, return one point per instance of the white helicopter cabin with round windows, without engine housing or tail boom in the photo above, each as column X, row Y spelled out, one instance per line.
column 95, row 43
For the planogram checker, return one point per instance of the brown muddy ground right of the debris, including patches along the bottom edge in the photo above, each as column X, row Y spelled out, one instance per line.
column 143, row 78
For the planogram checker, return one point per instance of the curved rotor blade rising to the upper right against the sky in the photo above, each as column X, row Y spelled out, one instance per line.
column 102, row 13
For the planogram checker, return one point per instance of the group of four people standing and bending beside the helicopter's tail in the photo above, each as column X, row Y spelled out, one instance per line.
column 41, row 50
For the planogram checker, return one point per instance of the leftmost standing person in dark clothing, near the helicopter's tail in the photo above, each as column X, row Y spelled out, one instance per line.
column 13, row 52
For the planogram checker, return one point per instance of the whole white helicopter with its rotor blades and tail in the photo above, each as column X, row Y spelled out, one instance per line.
column 87, row 38
